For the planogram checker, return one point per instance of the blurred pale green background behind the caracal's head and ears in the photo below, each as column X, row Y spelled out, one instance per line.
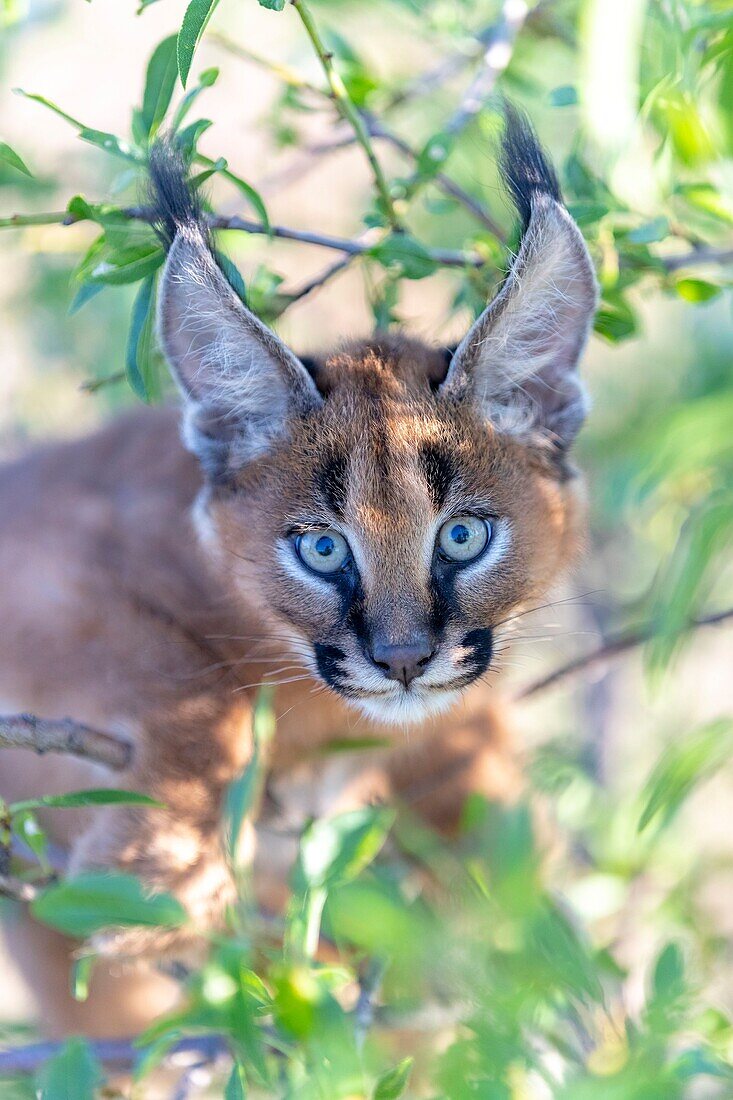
column 634, row 102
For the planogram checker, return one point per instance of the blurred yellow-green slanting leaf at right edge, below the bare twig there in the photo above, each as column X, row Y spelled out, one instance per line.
column 682, row 767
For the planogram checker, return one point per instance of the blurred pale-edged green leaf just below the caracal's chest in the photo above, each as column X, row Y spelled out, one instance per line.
column 337, row 850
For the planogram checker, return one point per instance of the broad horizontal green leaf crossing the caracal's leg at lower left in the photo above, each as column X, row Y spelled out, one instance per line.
column 84, row 905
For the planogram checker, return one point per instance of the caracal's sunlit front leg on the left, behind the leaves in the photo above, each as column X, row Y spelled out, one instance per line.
column 177, row 849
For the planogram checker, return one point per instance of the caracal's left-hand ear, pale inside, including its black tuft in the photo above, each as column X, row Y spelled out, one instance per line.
column 242, row 384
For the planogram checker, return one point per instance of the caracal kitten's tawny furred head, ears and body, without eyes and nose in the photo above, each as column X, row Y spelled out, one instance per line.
column 149, row 596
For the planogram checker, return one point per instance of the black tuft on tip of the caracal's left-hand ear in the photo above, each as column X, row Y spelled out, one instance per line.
column 177, row 206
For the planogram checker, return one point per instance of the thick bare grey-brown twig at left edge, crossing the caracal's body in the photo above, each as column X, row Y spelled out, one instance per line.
column 63, row 735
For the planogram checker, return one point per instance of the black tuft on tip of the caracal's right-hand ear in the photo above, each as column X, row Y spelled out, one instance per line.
column 527, row 171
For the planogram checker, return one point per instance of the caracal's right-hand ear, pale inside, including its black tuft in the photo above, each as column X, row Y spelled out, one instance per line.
column 519, row 362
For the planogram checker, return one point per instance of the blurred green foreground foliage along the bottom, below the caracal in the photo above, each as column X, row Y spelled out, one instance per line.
column 409, row 967
